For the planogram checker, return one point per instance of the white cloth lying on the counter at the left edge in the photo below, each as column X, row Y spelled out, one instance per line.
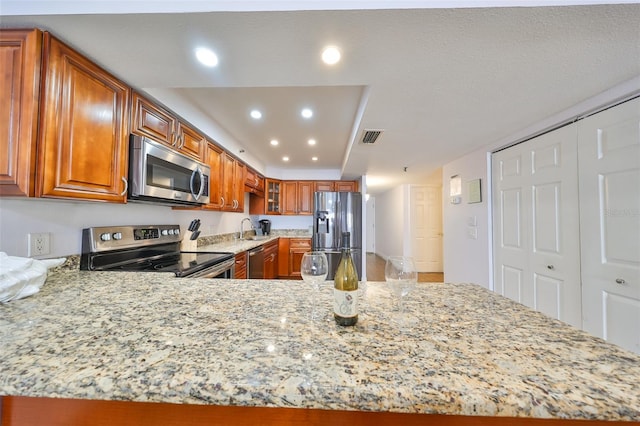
column 22, row 276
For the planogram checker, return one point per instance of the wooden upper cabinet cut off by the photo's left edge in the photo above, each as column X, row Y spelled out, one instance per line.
column 20, row 61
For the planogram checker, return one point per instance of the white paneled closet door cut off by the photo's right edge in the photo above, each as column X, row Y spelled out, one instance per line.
column 609, row 155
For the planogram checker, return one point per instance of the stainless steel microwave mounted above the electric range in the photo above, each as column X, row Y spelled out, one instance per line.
column 160, row 175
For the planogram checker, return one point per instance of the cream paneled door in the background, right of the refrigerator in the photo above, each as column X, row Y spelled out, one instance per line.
column 426, row 227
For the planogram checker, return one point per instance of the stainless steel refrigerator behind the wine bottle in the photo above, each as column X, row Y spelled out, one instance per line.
column 333, row 214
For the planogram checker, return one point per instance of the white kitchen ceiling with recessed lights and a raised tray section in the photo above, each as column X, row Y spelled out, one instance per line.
column 441, row 82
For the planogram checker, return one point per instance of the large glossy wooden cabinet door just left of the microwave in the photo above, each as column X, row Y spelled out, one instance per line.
column 83, row 151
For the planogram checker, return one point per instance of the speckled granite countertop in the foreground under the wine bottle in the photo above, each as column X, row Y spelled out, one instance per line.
column 154, row 337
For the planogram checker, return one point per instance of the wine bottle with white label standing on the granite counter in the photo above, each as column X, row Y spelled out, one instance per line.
column 345, row 291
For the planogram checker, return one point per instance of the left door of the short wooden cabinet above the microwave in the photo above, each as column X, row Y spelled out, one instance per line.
column 149, row 119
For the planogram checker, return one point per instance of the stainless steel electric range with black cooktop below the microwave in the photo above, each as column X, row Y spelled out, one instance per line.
column 148, row 249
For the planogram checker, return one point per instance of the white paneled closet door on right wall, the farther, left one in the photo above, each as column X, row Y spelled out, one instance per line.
column 536, row 224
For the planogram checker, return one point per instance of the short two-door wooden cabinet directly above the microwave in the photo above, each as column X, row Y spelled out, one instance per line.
column 152, row 120
